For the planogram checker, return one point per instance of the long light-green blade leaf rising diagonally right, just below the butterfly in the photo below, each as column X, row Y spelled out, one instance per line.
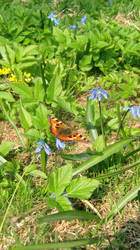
column 116, row 147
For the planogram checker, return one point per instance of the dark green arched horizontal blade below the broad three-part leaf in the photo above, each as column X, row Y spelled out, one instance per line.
column 68, row 215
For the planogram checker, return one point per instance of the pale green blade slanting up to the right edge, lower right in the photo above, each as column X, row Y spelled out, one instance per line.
column 121, row 203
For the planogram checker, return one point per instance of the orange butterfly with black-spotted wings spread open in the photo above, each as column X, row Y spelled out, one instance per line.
column 64, row 133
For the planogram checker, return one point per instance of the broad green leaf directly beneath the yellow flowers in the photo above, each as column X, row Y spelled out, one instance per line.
column 23, row 90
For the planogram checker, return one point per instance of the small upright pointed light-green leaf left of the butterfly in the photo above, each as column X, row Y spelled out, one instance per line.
column 25, row 118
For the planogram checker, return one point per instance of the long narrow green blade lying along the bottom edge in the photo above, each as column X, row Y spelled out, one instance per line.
column 59, row 245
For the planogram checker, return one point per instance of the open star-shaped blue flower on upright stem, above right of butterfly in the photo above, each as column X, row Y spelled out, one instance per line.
column 98, row 93
